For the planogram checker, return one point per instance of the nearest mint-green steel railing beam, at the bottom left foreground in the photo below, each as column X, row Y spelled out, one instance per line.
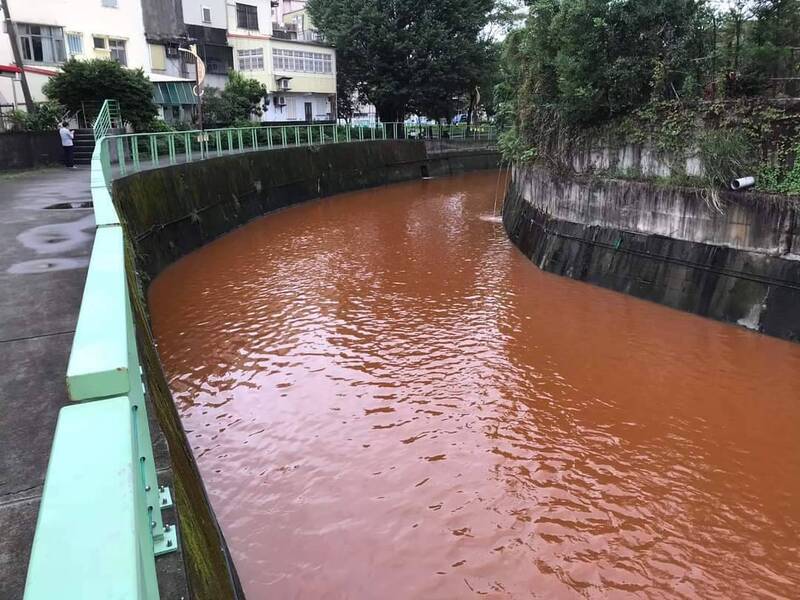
column 86, row 545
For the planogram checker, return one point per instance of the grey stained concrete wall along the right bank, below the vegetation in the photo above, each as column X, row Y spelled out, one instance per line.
column 665, row 244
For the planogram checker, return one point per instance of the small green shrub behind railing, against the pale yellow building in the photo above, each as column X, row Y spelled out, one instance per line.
column 236, row 104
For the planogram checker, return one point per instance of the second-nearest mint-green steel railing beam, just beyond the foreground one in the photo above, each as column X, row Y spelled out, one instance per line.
column 98, row 362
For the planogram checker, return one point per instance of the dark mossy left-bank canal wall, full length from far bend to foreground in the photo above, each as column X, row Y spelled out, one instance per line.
column 169, row 212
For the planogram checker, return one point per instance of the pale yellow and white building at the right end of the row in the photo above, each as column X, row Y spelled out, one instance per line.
column 299, row 74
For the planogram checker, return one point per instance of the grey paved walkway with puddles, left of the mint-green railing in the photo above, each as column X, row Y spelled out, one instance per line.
column 43, row 258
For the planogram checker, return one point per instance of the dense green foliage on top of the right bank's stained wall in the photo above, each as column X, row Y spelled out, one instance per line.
column 587, row 62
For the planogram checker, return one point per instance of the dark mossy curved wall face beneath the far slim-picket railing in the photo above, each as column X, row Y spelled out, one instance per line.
column 171, row 211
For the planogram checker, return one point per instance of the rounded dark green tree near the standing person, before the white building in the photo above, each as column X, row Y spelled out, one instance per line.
column 87, row 83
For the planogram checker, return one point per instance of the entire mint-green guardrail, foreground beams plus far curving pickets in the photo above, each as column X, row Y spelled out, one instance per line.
column 100, row 524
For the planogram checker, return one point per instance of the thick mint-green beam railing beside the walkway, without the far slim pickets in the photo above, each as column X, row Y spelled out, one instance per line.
column 100, row 525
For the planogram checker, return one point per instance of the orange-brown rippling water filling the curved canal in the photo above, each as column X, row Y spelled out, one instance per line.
column 387, row 400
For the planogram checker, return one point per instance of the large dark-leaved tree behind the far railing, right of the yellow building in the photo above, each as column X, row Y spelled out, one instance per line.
column 406, row 54
